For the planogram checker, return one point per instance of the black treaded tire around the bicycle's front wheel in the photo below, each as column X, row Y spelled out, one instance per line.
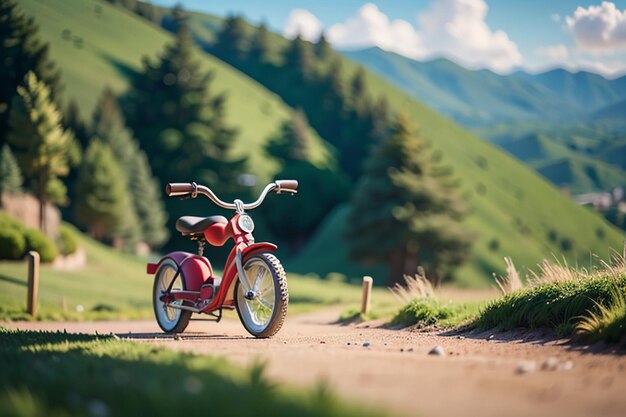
column 281, row 297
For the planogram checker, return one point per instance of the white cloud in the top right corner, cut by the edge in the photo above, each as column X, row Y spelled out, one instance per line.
column 598, row 28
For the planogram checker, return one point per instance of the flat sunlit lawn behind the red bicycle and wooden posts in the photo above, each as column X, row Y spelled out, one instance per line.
column 114, row 285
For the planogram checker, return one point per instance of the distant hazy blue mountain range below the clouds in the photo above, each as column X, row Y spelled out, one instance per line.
column 482, row 97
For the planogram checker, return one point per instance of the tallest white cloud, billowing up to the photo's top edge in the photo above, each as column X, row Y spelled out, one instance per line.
column 457, row 28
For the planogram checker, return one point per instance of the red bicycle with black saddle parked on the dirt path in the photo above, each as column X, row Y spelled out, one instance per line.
column 254, row 282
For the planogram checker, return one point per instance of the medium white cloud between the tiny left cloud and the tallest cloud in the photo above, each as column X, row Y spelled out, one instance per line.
column 372, row 27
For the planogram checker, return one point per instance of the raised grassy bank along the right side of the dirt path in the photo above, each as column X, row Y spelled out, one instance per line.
column 560, row 305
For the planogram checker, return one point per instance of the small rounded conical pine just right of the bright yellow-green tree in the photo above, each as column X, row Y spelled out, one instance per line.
column 103, row 201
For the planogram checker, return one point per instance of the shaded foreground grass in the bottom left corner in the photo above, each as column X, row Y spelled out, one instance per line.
column 56, row 374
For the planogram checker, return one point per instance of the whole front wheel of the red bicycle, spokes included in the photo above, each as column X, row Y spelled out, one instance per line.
column 262, row 306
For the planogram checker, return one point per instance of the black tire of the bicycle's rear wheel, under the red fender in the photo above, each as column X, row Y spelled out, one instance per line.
column 181, row 319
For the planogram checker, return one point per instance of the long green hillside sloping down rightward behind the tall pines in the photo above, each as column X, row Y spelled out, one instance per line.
column 514, row 210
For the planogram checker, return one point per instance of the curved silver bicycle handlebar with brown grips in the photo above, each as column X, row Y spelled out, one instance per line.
column 193, row 189
